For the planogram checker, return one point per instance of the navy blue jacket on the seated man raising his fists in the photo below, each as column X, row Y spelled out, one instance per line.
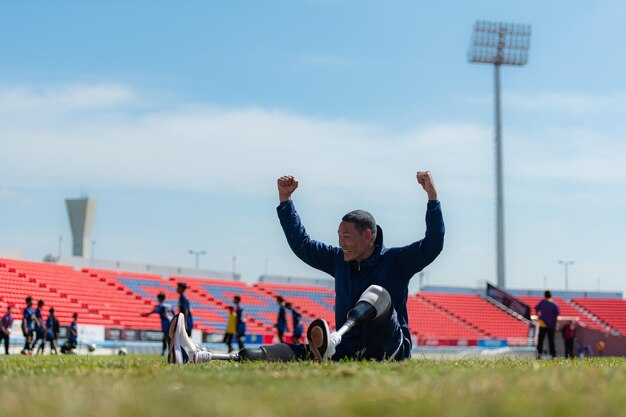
column 391, row 268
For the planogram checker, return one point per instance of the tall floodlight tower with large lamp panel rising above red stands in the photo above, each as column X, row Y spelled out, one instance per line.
column 499, row 44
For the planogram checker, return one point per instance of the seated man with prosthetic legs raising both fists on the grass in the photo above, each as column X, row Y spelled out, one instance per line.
column 371, row 285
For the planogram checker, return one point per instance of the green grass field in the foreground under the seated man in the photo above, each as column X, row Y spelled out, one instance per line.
column 146, row 386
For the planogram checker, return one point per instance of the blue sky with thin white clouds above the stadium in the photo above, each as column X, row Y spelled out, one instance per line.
column 178, row 118
